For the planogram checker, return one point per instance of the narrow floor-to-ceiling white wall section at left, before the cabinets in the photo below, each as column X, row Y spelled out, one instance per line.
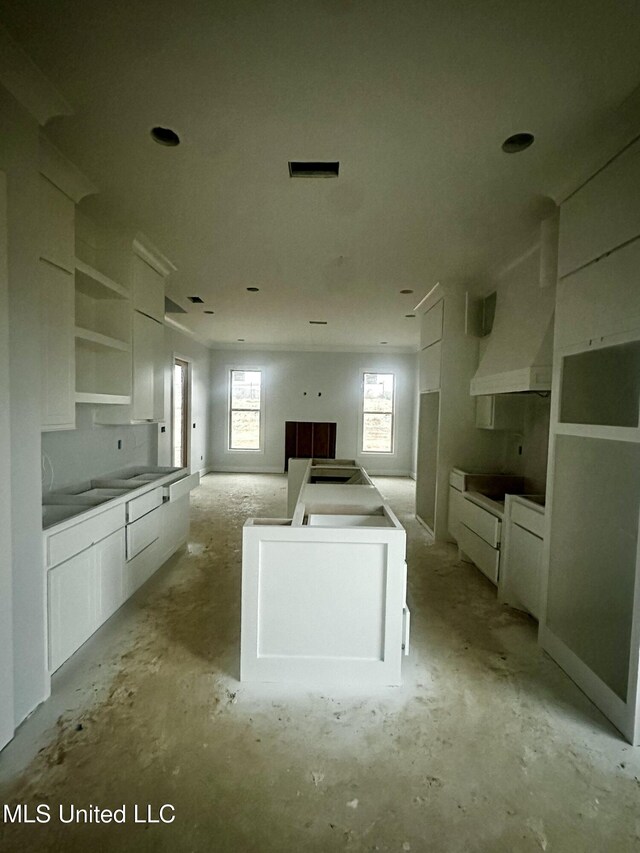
column 19, row 159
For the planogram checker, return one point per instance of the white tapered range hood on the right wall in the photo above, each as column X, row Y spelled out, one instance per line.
column 517, row 355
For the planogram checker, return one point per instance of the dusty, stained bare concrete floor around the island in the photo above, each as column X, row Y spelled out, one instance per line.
column 487, row 746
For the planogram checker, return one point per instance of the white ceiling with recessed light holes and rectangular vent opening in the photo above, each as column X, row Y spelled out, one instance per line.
column 414, row 99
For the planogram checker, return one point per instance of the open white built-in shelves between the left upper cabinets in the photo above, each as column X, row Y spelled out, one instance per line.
column 102, row 338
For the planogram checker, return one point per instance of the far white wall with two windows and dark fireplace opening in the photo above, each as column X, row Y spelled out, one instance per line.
column 337, row 376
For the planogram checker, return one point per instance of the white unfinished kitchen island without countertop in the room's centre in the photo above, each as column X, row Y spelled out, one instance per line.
column 324, row 592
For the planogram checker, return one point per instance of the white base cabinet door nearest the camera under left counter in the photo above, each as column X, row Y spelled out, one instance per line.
column 72, row 606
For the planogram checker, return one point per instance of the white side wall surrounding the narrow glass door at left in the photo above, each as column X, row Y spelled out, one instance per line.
column 178, row 345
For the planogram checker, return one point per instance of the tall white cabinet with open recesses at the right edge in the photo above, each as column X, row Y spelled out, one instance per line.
column 591, row 581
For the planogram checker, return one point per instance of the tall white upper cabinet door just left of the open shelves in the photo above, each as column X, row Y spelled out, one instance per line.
column 58, row 347
